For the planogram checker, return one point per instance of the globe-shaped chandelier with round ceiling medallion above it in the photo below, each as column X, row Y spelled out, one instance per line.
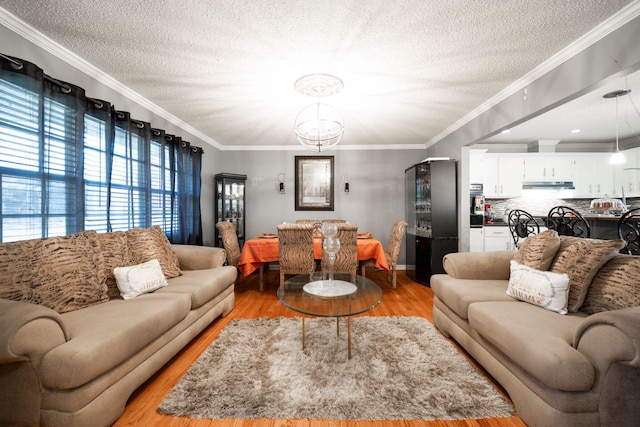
column 319, row 127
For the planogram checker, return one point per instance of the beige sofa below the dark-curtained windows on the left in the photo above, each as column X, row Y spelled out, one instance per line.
column 76, row 365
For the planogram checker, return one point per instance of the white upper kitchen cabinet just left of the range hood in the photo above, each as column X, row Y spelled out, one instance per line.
column 502, row 177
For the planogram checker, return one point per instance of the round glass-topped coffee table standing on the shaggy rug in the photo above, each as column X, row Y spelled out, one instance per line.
column 345, row 296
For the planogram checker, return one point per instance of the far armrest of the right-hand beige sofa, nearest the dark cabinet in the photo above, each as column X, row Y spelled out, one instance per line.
column 478, row 265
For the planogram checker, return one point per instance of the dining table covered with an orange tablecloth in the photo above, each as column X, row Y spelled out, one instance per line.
column 264, row 249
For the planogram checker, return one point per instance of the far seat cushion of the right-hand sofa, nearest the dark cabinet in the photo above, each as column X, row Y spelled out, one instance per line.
column 458, row 294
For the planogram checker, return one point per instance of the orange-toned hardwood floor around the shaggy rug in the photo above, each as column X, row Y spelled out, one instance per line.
column 409, row 299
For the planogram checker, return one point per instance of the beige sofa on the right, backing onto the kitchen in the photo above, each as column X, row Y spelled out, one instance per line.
column 577, row 369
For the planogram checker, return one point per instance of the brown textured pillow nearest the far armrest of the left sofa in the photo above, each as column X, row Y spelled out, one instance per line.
column 149, row 243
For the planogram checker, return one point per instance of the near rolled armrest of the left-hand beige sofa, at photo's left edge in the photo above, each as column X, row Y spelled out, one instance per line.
column 28, row 331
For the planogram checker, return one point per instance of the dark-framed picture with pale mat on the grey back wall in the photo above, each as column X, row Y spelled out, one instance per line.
column 314, row 183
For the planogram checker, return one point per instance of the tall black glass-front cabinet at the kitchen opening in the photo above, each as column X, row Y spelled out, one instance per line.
column 431, row 211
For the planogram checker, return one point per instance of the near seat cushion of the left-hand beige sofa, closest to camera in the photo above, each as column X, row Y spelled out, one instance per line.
column 105, row 335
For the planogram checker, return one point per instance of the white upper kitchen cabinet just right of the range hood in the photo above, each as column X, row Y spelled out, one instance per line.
column 593, row 176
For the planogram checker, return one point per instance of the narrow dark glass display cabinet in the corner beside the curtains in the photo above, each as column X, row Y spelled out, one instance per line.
column 230, row 203
